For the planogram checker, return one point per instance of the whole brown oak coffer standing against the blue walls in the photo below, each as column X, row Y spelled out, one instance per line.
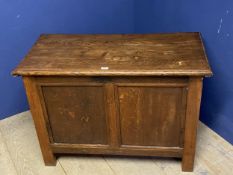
column 116, row 94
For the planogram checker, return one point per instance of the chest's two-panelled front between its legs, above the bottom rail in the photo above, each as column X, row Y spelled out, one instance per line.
column 148, row 111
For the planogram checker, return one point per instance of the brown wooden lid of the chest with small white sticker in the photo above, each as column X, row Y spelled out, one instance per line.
column 177, row 54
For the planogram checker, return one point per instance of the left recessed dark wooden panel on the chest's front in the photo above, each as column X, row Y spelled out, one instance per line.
column 76, row 114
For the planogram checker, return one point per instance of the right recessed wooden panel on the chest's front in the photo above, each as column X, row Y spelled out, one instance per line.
column 152, row 116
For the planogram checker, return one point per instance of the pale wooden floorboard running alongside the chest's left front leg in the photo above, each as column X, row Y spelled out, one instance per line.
column 21, row 140
